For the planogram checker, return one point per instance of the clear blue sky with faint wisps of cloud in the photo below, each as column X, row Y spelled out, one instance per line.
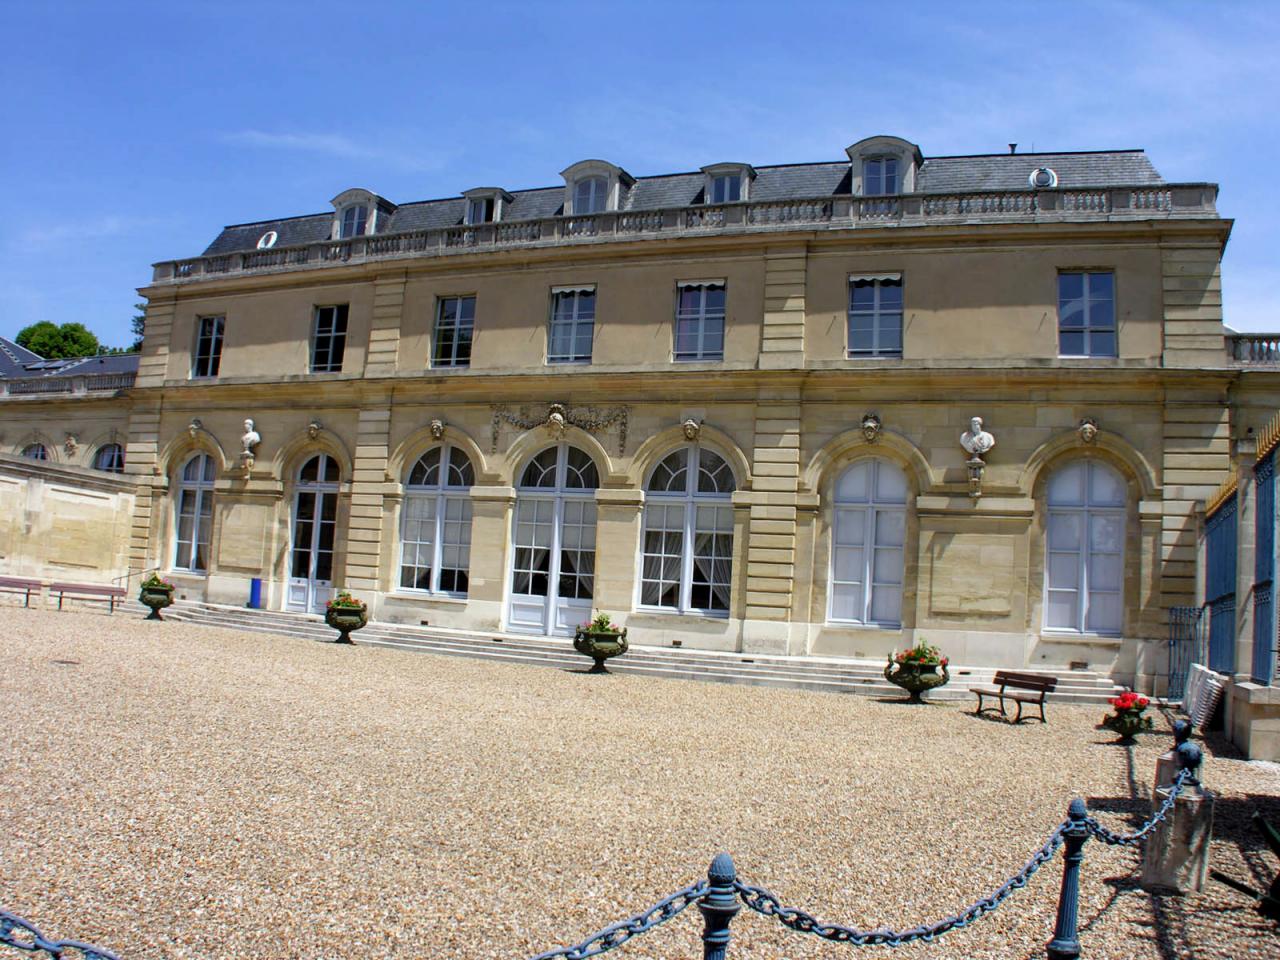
column 135, row 131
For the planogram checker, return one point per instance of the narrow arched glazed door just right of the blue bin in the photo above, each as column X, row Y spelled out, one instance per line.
column 314, row 531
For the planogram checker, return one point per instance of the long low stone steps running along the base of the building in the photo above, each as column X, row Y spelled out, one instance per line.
column 830, row 675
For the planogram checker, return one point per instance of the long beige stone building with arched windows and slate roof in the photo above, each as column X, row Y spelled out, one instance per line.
column 725, row 406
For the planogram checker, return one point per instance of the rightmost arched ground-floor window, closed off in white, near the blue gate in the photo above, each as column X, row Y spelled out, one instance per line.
column 1085, row 550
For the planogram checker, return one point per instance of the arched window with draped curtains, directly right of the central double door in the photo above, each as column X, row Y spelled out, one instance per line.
column 688, row 547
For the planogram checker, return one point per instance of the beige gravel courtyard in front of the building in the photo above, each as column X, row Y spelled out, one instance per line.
column 176, row 792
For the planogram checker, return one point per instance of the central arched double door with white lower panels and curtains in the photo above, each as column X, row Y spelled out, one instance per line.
column 554, row 541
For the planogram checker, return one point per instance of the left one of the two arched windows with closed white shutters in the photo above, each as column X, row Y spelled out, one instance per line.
column 867, row 536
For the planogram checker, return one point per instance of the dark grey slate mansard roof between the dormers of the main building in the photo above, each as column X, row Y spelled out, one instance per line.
column 940, row 175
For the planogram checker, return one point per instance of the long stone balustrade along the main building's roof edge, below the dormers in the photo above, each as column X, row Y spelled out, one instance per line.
column 1144, row 203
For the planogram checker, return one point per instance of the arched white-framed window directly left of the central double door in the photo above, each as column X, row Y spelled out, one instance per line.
column 436, row 527
